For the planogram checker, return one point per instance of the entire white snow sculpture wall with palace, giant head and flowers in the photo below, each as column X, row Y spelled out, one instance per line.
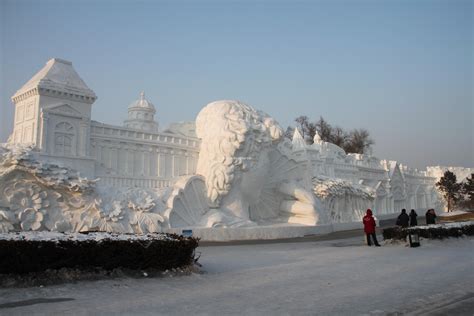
column 232, row 168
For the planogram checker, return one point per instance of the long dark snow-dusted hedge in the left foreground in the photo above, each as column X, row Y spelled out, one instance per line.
column 155, row 251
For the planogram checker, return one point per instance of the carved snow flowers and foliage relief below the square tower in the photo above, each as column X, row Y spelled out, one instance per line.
column 35, row 195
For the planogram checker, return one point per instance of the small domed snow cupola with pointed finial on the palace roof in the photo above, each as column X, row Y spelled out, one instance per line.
column 141, row 115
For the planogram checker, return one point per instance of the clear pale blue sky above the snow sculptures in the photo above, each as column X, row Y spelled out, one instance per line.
column 401, row 69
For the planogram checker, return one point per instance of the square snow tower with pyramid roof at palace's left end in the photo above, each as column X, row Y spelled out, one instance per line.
column 53, row 111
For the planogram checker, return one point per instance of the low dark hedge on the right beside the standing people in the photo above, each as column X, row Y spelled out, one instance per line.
column 435, row 232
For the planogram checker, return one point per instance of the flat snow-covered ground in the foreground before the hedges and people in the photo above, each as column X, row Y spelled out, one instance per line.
column 331, row 277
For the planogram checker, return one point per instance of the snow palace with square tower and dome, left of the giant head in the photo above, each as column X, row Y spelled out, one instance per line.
column 53, row 112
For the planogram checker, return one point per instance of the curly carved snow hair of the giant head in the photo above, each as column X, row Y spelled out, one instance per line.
column 232, row 134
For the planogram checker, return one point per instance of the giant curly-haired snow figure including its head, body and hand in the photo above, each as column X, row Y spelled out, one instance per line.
column 238, row 159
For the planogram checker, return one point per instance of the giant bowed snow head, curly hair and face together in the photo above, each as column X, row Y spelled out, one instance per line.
column 233, row 159
